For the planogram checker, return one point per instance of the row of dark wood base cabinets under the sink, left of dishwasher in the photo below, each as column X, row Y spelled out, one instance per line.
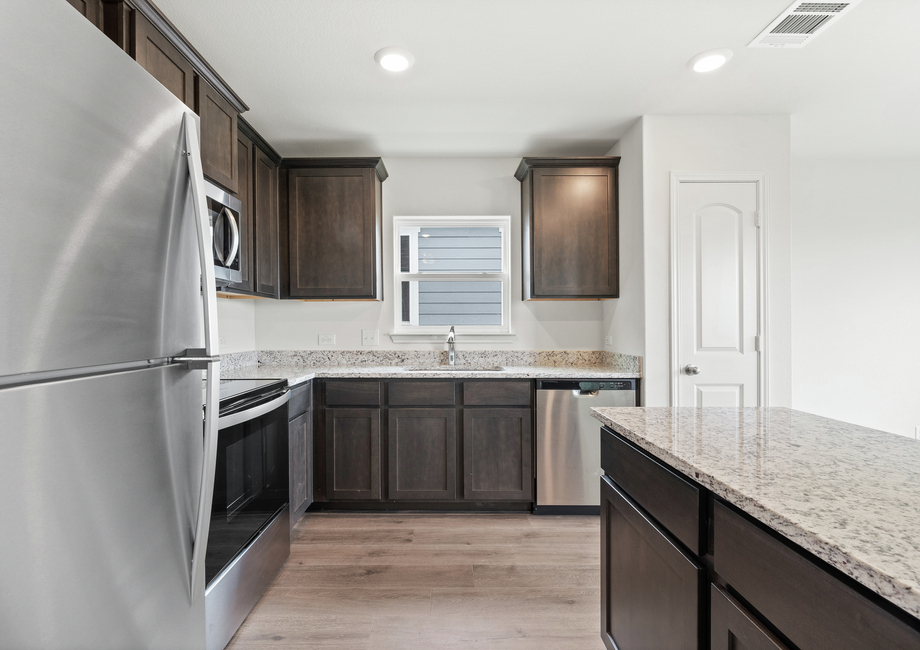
column 406, row 442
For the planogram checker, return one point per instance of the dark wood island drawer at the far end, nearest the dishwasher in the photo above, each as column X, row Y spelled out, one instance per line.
column 664, row 494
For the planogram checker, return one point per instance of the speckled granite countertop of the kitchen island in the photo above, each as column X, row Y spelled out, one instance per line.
column 848, row 494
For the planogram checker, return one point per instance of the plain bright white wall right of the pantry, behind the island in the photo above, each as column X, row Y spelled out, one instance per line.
column 856, row 291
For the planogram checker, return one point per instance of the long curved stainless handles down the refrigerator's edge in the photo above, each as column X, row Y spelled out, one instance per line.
column 209, row 300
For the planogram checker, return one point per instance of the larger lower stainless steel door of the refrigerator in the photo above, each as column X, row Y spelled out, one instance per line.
column 99, row 478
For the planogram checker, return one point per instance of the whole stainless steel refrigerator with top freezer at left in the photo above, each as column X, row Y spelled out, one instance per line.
column 106, row 455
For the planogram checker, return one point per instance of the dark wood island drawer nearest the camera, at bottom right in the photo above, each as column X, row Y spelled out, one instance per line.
column 813, row 609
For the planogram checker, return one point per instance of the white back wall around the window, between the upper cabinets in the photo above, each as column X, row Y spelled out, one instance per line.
column 435, row 186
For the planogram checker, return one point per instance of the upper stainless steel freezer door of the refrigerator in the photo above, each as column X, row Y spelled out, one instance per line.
column 97, row 237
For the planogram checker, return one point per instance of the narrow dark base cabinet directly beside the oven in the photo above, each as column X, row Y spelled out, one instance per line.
column 300, row 451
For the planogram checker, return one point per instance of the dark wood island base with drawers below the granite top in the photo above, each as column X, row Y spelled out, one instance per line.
column 681, row 568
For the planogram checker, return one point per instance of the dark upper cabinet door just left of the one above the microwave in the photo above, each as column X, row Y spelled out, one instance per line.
column 161, row 59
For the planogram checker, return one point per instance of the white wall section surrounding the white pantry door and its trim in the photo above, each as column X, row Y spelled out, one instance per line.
column 722, row 143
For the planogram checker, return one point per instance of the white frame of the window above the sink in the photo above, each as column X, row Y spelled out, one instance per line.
column 405, row 333
